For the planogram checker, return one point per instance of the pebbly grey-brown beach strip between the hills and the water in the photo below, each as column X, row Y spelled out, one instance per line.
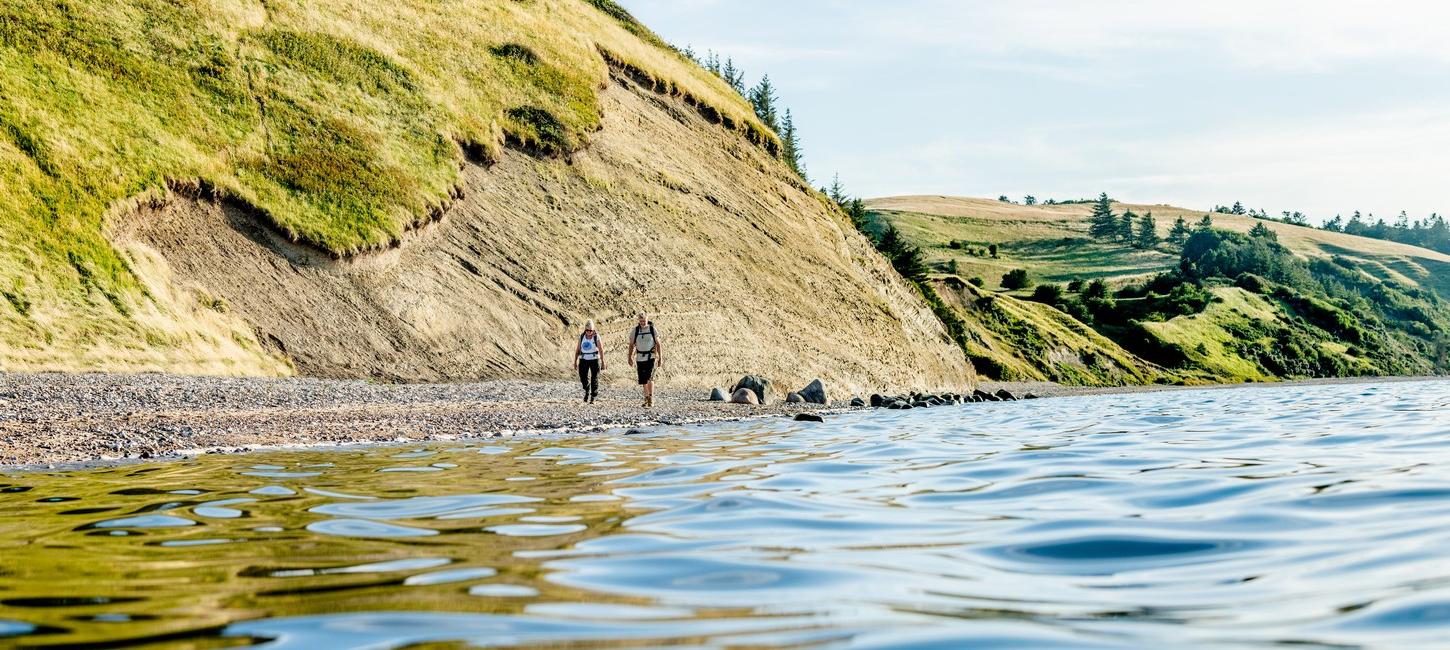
column 75, row 421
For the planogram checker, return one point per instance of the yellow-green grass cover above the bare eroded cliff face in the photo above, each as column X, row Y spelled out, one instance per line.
column 344, row 123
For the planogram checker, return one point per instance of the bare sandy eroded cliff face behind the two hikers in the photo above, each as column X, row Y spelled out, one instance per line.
column 740, row 266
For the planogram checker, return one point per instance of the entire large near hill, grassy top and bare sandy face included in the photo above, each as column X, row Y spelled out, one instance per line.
column 414, row 191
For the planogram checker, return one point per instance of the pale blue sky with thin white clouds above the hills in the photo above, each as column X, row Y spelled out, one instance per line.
column 1314, row 107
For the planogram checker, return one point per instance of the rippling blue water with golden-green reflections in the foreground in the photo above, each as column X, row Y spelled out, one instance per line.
column 1314, row 516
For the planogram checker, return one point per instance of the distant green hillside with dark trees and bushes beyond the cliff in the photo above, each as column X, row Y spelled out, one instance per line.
column 1098, row 292
